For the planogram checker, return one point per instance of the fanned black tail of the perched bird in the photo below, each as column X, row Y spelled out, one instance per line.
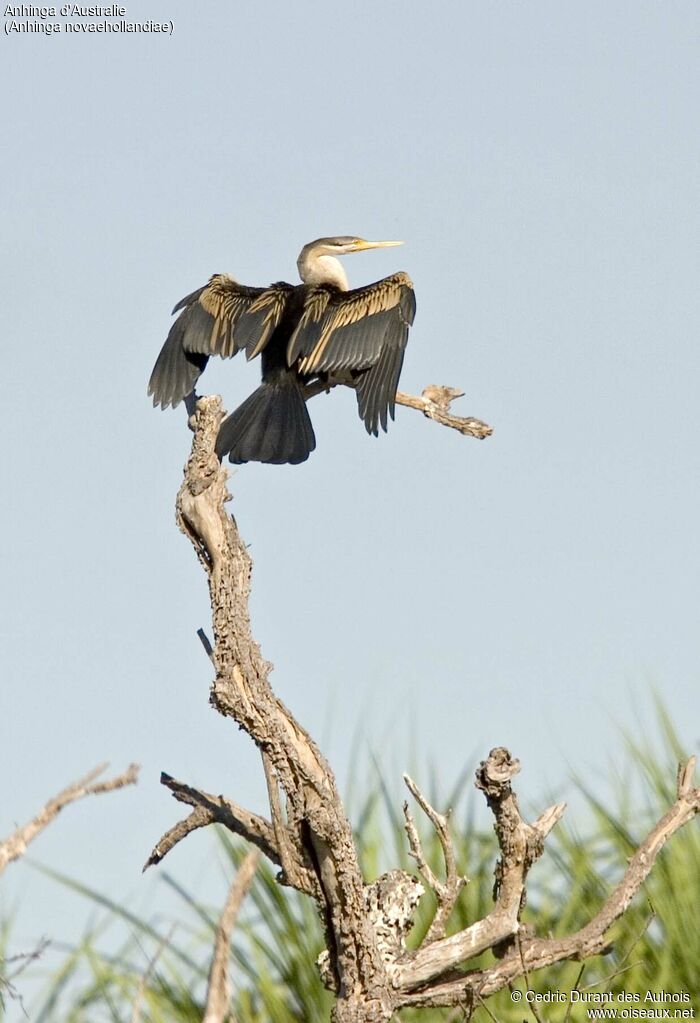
column 272, row 426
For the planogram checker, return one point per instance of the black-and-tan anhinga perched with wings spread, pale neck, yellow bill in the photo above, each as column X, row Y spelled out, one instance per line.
column 311, row 337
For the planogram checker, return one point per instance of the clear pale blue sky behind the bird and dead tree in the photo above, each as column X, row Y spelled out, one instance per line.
column 423, row 596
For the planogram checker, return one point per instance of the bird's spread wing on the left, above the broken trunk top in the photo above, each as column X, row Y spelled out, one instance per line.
column 221, row 319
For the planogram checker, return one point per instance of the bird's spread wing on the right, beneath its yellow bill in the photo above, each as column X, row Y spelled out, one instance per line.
column 364, row 331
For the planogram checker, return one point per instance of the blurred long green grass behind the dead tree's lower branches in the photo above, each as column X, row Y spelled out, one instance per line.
column 657, row 946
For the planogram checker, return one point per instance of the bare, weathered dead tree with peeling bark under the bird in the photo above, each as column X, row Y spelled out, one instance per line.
column 308, row 833
